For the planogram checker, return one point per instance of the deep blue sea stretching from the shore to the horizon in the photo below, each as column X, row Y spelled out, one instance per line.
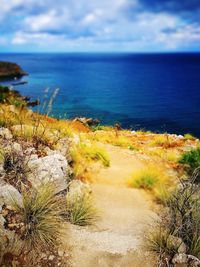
column 158, row 92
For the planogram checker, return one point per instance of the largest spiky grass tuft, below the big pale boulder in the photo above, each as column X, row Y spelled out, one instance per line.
column 40, row 217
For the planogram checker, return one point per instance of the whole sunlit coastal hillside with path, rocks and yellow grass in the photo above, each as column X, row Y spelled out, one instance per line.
column 78, row 195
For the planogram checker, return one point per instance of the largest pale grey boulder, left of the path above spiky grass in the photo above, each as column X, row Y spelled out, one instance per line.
column 53, row 168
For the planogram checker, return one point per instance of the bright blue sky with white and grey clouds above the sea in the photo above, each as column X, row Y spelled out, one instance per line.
column 99, row 25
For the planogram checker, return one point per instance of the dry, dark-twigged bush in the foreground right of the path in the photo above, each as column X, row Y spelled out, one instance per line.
column 179, row 225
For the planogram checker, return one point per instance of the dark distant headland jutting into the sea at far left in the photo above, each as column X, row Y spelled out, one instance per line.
column 10, row 70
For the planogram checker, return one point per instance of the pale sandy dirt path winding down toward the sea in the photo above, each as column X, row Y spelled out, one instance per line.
column 117, row 239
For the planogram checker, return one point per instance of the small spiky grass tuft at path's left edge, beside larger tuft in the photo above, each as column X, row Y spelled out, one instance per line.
column 80, row 210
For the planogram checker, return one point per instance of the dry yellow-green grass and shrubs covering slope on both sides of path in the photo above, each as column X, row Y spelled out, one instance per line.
column 37, row 223
